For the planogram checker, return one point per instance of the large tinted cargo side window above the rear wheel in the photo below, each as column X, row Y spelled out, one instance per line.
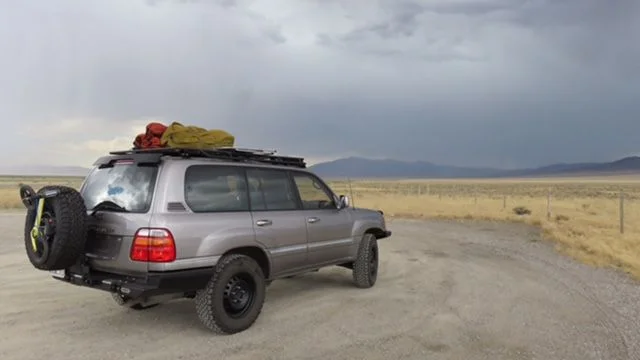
column 211, row 188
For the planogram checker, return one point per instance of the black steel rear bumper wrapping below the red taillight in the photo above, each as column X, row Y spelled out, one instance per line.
column 140, row 286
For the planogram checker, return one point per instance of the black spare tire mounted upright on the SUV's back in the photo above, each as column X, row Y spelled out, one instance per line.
column 63, row 229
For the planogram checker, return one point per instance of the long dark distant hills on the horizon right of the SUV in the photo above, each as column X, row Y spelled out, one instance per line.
column 355, row 167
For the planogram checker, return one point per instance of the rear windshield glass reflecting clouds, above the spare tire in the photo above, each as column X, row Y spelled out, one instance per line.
column 128, row 185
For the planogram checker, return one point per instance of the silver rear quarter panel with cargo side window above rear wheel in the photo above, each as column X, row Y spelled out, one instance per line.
column 219, row 218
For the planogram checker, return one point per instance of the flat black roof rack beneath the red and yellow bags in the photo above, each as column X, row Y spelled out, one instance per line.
column 223, row 153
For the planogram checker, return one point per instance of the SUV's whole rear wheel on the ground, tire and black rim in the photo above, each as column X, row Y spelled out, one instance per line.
column 232, row 300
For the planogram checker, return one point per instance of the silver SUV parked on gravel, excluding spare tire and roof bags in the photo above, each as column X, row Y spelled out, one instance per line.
column 216, row 226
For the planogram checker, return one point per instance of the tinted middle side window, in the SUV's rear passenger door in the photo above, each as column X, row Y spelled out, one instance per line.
column 270, row 190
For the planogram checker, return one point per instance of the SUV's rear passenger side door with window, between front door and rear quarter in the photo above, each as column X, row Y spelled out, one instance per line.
column 279, row 224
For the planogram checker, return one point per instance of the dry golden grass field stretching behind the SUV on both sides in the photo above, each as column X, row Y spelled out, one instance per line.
column 582, row 215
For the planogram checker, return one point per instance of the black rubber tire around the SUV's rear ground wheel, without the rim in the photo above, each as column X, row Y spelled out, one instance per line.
column 209, row 301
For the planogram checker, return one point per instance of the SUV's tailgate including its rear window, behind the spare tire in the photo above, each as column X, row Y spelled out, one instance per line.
column 118, row 198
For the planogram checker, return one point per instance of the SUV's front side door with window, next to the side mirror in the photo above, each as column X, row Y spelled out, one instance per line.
column 329, row 230
